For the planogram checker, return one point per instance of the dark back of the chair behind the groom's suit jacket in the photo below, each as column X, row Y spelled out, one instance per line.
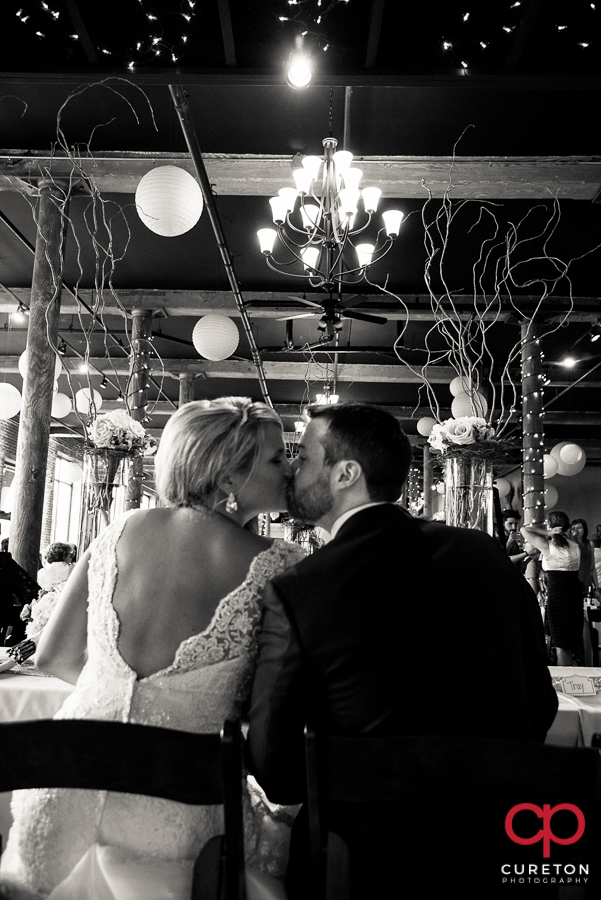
column 442, row 774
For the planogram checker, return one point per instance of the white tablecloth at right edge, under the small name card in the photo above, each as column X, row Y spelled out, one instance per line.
column 578, row 718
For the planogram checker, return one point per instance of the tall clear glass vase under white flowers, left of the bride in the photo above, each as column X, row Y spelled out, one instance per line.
column 104, row 470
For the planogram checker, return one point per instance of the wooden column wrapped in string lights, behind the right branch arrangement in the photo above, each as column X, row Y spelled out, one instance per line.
column 533, row 437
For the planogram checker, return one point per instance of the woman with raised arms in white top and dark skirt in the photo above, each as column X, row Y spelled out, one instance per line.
column 561, row 560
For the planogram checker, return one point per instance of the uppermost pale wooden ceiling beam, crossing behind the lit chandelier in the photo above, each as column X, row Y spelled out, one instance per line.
column 401, row 177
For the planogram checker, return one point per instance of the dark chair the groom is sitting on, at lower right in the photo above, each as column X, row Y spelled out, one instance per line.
column 440, row 798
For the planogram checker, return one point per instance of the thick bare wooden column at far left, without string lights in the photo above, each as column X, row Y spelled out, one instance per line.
column 42, row 336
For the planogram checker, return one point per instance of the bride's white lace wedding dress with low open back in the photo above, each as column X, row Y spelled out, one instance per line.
column 76, row 844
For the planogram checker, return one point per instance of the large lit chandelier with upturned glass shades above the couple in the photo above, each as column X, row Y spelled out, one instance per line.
column 322, row 236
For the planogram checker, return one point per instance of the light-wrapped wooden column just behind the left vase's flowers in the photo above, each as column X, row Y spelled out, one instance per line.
column 137, row 395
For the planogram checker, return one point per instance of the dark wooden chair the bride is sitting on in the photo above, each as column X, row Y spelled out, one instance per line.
column 200, row 769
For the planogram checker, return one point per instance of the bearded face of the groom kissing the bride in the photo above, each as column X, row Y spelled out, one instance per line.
column 309, row 494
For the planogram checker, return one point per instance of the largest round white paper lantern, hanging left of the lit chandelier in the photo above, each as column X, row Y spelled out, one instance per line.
column 169, row 201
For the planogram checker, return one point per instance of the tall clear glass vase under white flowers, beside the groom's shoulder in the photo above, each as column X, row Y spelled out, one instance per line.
column 469, row 493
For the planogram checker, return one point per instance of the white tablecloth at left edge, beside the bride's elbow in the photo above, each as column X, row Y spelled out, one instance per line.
column 27, row 697
